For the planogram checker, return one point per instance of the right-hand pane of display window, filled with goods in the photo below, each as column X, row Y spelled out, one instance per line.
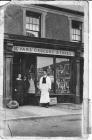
column 63, row 76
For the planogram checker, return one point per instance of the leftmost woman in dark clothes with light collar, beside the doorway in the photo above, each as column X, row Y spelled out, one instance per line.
column 19, row 89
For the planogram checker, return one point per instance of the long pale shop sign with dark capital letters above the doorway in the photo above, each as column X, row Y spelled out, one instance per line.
column 42, row 51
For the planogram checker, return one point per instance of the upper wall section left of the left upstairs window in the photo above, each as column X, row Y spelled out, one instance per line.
column 13, row 20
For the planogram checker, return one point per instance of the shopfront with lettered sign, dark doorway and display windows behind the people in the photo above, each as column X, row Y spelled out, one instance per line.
column 31, row 62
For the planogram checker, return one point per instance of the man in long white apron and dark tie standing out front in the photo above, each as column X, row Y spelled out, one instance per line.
column 45, row 87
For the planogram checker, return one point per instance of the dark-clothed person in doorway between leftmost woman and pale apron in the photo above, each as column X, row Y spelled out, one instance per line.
column 26, row 86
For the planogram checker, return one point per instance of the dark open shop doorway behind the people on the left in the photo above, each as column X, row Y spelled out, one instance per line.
column 25, row 64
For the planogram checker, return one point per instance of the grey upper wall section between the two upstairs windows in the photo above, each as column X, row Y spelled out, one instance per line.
column 57, row 27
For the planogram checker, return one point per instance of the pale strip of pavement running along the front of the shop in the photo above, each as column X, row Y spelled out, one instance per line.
column 24, row 112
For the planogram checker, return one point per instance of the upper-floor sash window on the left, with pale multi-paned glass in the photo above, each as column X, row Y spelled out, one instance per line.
column 33, row 24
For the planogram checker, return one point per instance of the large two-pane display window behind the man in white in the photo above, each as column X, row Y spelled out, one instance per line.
column 59, row 71
